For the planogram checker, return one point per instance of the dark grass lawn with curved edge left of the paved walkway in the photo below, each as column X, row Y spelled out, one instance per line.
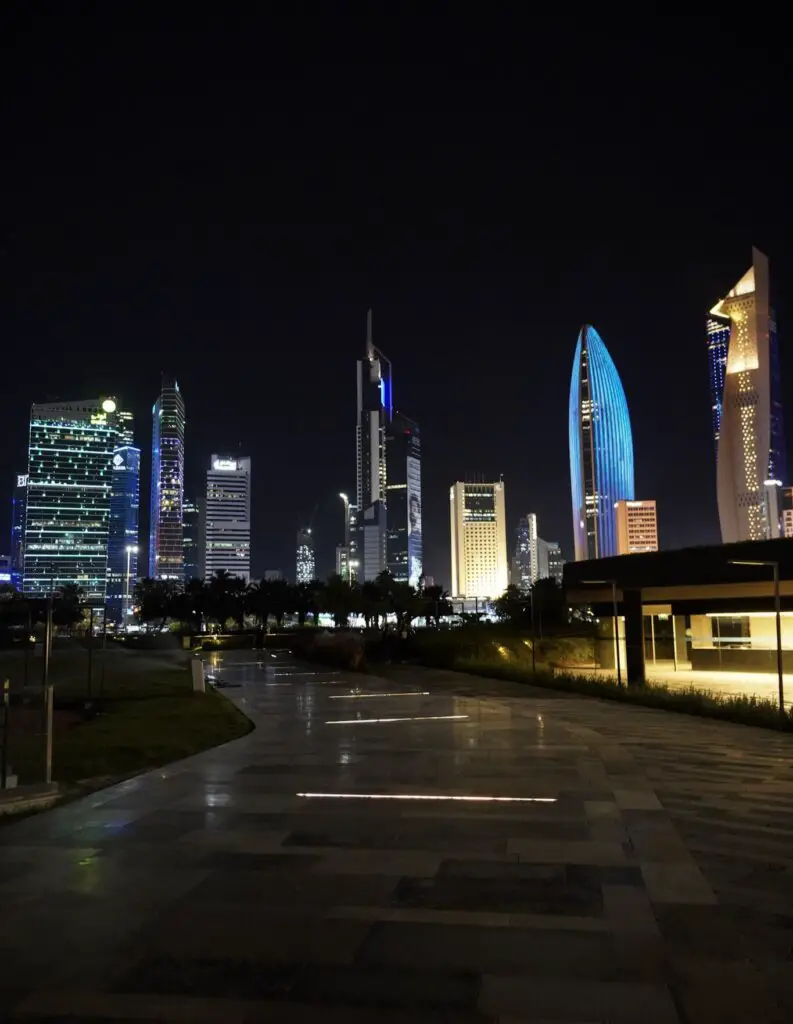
column 148, row 716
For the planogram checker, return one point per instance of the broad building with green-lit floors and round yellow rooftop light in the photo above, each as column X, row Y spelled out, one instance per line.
column 70, row 481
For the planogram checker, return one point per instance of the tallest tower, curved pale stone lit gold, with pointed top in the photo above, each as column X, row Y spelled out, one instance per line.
column 750, row 451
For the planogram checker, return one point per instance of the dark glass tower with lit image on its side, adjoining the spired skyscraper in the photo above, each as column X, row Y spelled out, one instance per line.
column 403, row 458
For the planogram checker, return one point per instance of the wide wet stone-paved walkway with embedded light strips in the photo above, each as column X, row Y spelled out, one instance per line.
column 639, row 874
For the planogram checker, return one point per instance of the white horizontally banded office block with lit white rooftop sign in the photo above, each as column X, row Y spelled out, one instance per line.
column 228, row 517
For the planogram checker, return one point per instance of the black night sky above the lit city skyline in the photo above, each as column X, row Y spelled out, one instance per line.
column 224, row 200
